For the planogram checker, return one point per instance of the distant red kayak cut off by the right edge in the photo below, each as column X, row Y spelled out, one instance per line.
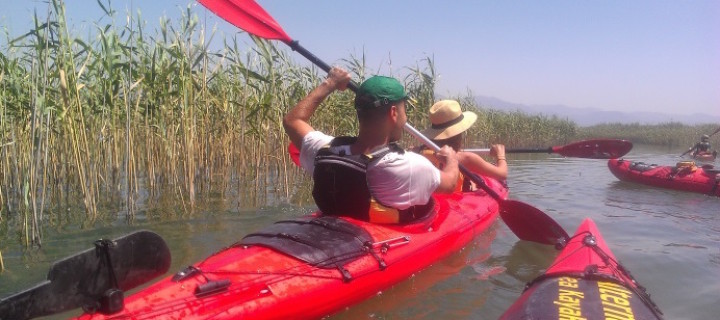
column 684, row 176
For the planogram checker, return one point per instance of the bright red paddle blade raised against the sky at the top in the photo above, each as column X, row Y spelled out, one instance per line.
column 249, row 16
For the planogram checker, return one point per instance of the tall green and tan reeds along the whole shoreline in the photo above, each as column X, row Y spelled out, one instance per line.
column 95, row 129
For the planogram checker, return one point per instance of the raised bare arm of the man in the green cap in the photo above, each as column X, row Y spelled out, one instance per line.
column 297, row 121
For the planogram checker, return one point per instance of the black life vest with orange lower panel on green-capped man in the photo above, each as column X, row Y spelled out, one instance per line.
column 341, row 187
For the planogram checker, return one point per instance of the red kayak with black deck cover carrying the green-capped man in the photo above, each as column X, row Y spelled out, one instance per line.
column 314, row 266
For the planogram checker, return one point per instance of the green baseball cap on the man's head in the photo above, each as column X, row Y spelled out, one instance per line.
column 379, row 91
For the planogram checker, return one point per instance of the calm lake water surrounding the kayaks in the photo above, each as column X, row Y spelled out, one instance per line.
column 669, row 240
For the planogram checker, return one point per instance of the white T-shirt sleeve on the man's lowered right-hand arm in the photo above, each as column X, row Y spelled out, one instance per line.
column 403, row 180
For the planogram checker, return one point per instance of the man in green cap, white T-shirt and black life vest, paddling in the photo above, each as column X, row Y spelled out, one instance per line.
column 368, row 177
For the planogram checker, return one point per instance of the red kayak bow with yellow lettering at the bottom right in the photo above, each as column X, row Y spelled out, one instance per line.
column 584, row 282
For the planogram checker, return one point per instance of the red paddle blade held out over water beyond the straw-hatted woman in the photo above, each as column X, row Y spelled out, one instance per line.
column 595, row 149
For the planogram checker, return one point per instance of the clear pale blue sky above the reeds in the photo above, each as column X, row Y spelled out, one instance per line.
column 612, row 55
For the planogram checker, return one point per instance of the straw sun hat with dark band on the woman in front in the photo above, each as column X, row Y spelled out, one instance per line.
column 448, row 120
